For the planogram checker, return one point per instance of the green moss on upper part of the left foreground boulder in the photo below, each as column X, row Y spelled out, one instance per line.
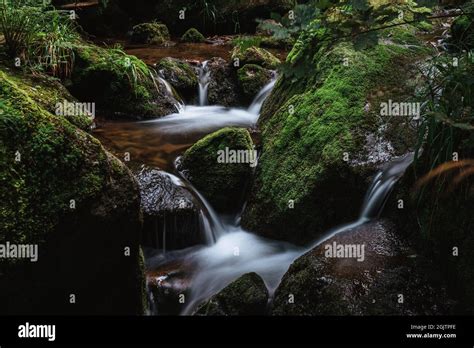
column 53, row 170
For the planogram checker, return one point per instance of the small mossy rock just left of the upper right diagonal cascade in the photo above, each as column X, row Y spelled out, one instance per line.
column 252, row 78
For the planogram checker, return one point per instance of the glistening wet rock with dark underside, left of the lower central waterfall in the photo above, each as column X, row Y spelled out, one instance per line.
column 171, row 213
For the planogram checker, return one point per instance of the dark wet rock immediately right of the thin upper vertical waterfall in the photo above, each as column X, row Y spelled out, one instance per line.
column 223, row 85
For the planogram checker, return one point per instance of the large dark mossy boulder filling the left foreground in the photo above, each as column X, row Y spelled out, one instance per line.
column 62, row 191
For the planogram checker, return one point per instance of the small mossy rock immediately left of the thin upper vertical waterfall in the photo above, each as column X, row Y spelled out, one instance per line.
column 179, row 74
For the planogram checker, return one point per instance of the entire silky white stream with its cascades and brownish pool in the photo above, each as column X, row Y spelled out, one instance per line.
column 230, row 251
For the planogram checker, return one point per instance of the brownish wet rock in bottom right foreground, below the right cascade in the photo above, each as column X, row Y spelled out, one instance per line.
column 388, row 280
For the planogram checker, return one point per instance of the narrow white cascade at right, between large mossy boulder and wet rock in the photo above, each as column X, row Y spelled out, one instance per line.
column 377, row 195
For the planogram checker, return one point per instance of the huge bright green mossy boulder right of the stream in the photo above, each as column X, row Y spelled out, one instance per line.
column 323, row 136
